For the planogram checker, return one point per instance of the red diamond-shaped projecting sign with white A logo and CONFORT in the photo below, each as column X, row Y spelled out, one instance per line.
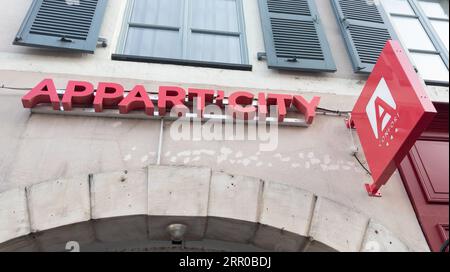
column 391, row 113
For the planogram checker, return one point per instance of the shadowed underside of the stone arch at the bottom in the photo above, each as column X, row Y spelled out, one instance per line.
column 150, row 234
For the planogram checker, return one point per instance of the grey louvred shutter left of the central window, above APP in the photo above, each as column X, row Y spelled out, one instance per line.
column 62, row 24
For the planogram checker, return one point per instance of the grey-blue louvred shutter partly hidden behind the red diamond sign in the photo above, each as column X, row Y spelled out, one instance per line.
column 365, row 31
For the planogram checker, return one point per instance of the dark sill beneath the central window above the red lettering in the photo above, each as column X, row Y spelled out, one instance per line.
column 219, row 65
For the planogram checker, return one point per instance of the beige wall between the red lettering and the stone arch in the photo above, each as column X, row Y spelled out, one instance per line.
column 39, row 147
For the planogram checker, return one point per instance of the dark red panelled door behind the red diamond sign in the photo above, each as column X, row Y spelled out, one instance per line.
column 425, row 173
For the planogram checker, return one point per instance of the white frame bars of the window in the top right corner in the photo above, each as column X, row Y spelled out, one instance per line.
column 424, row 20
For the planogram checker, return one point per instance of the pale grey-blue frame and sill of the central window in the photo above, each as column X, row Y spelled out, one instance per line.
column 186, row 31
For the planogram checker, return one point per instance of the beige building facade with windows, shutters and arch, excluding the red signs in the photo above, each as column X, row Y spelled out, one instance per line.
column 74, row 179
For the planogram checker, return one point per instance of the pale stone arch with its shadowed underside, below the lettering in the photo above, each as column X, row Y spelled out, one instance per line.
column 130, row 210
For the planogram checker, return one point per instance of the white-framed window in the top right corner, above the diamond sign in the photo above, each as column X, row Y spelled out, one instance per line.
column 422, row 26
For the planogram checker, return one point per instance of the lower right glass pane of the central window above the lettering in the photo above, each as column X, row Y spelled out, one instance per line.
column 215, row 48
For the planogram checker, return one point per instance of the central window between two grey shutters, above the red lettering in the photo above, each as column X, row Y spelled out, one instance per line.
column 191, row 32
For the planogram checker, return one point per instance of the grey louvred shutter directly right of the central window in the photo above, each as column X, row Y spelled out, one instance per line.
column 294, row 37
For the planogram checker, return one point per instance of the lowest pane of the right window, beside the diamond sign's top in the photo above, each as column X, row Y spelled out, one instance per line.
column 431, row 67
